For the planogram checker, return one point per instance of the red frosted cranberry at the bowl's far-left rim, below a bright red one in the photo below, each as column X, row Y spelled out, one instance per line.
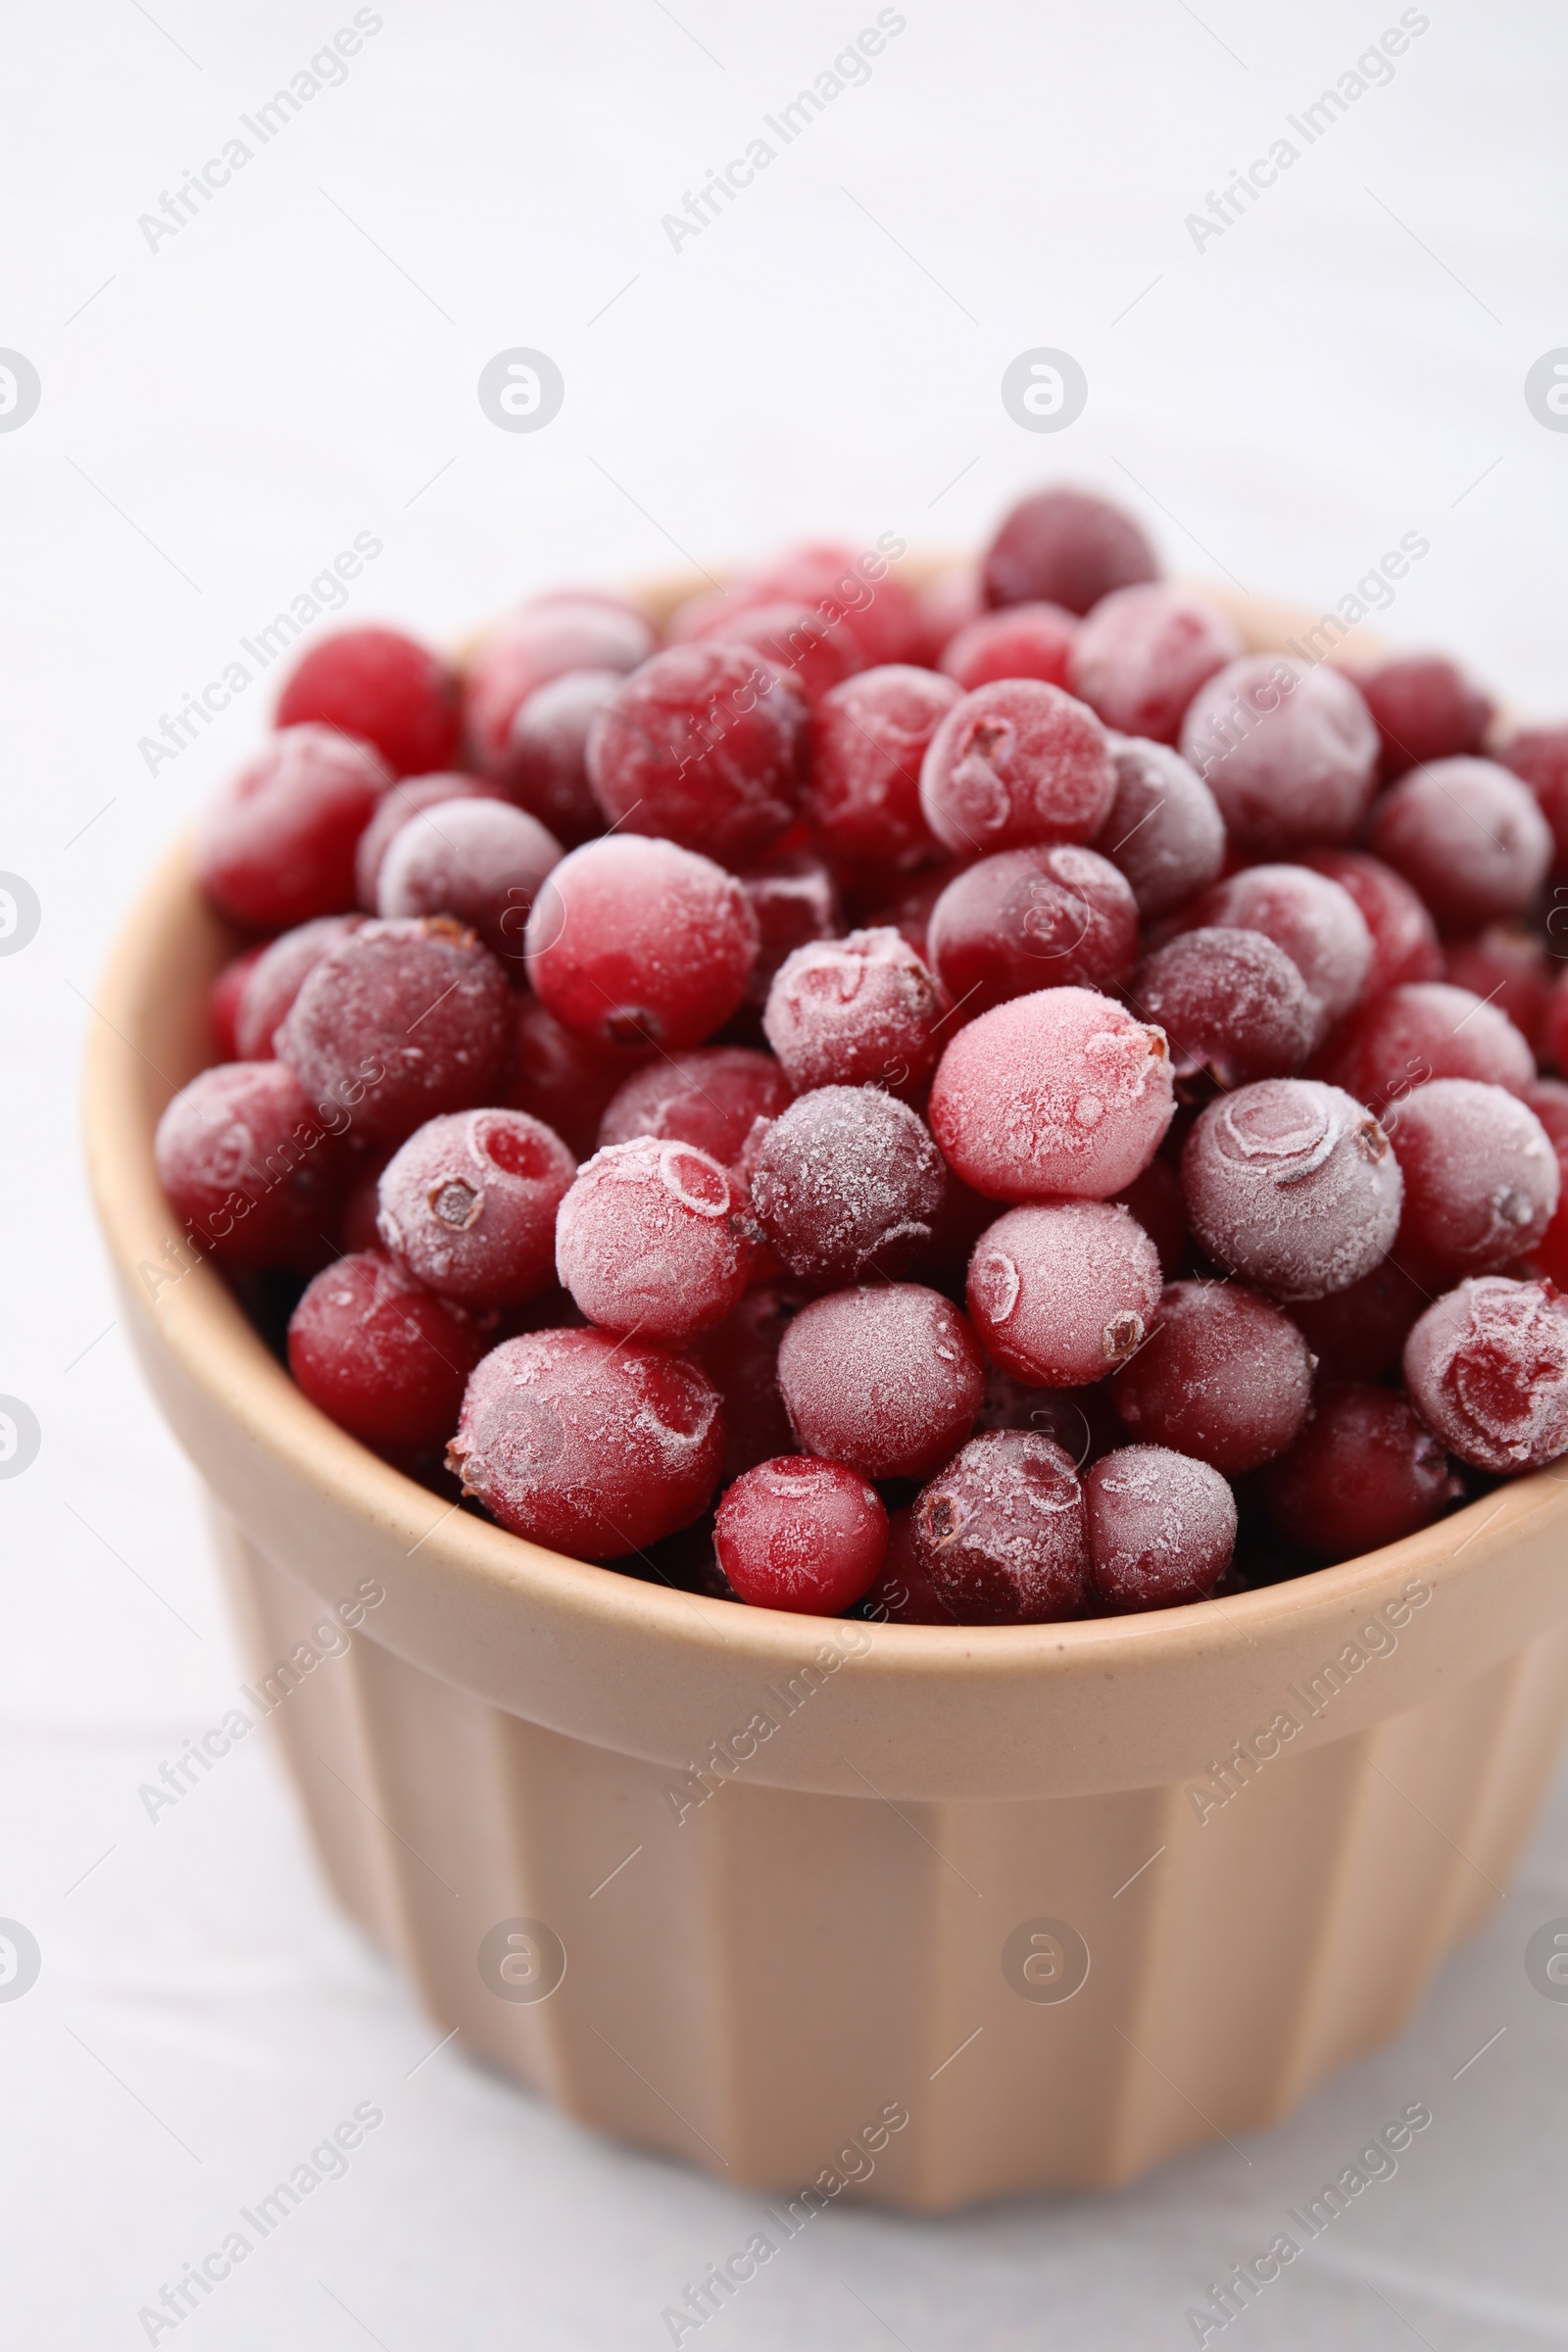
column 279, row 846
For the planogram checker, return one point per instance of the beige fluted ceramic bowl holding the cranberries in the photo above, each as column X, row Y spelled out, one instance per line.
column 916, row 1913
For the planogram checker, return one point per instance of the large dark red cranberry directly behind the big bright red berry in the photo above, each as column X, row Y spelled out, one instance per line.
column 702, row 747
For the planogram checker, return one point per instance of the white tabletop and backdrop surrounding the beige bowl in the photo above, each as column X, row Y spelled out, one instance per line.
column 300, row 366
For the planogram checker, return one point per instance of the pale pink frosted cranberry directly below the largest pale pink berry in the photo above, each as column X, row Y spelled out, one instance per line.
column 1064, row 1292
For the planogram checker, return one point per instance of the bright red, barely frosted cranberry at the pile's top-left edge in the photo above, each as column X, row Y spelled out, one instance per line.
column 384, row 690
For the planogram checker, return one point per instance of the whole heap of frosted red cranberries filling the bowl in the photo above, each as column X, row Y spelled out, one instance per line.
column 977, row 1104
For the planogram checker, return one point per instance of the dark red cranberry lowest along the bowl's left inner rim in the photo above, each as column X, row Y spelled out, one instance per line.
column 382, row 1356
